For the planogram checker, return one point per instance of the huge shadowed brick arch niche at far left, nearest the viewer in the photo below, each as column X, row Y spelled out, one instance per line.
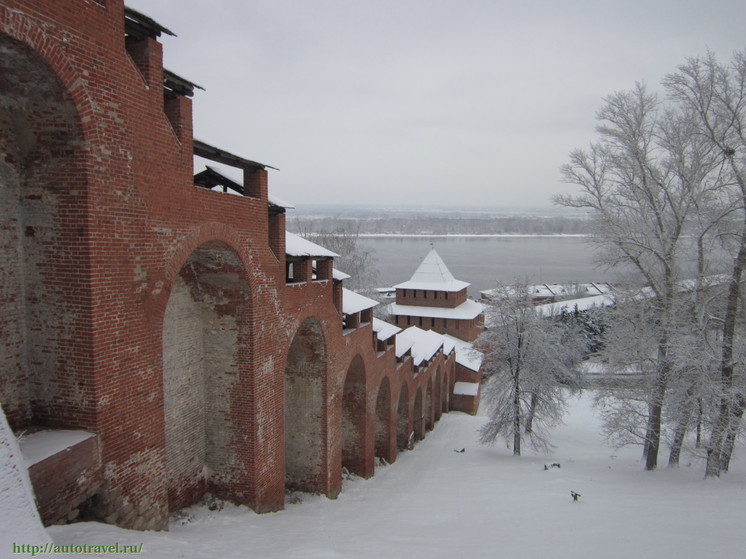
column 46, row 306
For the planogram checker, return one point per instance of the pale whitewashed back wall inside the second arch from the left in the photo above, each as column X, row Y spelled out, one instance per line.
column 200, row 342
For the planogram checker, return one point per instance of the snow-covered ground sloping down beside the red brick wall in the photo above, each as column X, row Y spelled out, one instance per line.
column 436, row 503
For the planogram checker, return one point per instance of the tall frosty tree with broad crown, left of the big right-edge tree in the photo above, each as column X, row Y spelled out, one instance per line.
column 645, row 180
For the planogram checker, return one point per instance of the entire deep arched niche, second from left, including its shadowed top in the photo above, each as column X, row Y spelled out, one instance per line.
column 206, row 350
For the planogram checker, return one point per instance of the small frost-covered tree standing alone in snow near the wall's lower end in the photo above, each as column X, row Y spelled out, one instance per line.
column 530, row 361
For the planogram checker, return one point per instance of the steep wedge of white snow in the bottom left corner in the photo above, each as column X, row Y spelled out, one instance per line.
column 19, row 520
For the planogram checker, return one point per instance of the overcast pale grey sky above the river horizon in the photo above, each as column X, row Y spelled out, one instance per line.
column 412, row 101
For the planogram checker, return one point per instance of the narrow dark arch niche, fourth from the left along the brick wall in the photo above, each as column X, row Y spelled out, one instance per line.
column 354, row 415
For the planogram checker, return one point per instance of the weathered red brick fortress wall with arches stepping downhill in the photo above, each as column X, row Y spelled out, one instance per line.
column 156, row 314
